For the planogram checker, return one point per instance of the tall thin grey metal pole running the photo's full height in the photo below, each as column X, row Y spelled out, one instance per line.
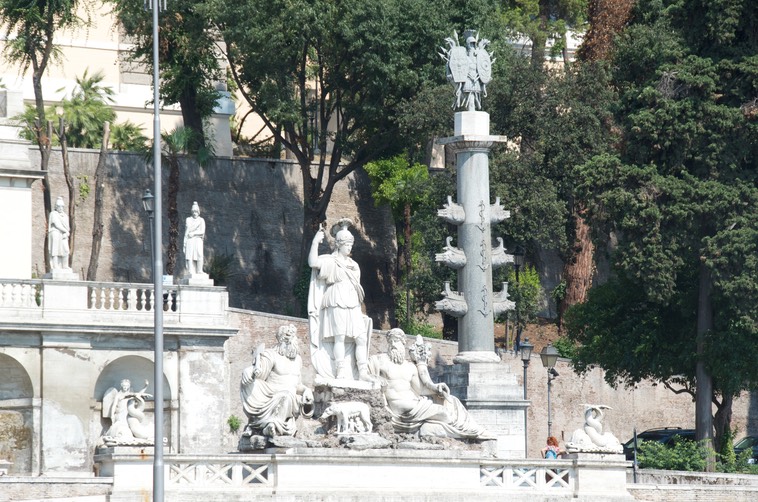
column 157, row 272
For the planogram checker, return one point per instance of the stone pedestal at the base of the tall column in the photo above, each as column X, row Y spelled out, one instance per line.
column 493, row 397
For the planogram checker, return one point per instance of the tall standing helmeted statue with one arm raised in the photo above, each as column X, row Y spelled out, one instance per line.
column 339, row 332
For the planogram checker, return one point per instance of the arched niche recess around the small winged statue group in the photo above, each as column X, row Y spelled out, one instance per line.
column 137, row 370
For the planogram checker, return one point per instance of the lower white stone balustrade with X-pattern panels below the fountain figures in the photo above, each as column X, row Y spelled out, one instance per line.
column 343, row 474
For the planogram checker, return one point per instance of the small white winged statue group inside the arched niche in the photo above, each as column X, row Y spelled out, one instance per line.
column 125, row 407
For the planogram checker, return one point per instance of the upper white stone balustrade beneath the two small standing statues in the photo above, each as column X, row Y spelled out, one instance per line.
column 47, row 300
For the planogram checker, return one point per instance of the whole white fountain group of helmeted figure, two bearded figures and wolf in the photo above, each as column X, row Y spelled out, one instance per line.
column 272, row 391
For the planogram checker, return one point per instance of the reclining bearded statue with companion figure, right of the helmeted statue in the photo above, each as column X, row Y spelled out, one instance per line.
column 417, row 404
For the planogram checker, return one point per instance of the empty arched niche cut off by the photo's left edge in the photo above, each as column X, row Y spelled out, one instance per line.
column 16, row 415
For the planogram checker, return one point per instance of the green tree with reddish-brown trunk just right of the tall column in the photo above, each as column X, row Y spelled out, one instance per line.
column 561, row 119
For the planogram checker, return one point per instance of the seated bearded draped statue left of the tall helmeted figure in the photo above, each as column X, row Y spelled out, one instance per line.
column 271, row 389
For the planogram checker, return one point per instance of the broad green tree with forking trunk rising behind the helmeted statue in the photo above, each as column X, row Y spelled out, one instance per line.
column 351, row 62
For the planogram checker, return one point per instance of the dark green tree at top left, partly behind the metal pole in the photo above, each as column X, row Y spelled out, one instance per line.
column 189, row 57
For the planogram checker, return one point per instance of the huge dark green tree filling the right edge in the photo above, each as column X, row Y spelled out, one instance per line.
column 681, row 196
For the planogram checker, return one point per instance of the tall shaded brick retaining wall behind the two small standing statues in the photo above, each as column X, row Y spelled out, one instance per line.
column 253, row 213
